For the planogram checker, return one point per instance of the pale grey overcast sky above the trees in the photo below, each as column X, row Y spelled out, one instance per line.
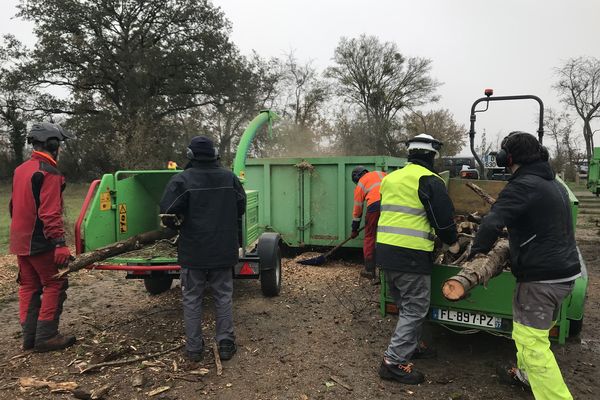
column 512, row 46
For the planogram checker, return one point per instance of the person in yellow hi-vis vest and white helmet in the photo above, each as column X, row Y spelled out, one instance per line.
column 414, row 208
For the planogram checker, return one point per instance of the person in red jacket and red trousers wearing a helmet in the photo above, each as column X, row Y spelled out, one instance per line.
column 37, row 237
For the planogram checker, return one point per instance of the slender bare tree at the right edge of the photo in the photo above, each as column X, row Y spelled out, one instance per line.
column 579, row 88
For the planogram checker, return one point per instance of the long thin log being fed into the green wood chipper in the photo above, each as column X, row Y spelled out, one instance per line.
column 133, row 243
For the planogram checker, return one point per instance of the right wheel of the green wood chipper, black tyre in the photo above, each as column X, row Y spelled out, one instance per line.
column 269, row 254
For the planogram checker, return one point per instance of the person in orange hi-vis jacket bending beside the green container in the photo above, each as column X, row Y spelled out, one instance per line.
column 367, row 189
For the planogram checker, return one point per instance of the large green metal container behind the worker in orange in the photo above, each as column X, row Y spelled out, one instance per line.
column 317, row 194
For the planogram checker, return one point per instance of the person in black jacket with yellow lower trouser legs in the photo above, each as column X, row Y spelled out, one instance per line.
column 535, row 209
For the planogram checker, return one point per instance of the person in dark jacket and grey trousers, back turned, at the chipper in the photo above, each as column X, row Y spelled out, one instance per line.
column 206, row 203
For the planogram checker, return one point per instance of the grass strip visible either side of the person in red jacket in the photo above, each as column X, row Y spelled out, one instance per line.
column 73, row 199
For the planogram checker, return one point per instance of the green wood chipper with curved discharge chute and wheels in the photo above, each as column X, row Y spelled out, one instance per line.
column 126, row 203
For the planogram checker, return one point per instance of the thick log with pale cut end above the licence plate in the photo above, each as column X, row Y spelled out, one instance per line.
column 477, row 271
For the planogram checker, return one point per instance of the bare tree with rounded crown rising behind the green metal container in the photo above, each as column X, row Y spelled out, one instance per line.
column 382, row 82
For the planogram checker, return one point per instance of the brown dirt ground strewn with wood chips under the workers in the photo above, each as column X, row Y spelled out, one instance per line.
column 322, row 338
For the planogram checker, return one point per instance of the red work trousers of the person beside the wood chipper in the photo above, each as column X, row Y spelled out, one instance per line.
column 41, row 295
